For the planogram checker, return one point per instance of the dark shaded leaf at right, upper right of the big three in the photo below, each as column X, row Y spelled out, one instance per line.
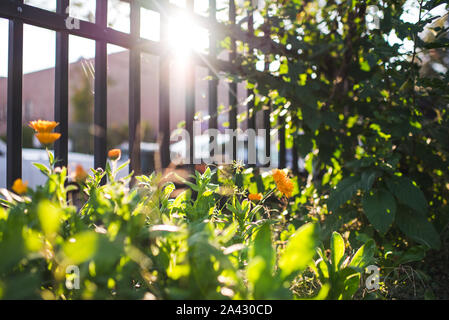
column 407, row 193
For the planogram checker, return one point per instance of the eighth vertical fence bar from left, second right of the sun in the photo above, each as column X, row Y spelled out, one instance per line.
column 233, row 85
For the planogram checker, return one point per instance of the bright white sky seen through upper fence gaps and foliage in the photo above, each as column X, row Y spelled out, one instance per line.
column 39, row 44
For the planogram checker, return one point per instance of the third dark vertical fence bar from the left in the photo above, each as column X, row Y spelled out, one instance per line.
column 100, row 108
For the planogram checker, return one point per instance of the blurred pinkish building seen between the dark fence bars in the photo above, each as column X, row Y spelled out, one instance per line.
column 38, row 92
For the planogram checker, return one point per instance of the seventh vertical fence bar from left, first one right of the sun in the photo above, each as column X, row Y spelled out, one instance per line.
column 213, row 82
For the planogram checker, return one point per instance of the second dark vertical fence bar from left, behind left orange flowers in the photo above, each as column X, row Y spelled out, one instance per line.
column 61, row 88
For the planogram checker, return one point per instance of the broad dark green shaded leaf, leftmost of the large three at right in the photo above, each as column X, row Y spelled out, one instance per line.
column 380, row 209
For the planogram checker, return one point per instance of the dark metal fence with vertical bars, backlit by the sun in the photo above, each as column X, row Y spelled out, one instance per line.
column 19, row 14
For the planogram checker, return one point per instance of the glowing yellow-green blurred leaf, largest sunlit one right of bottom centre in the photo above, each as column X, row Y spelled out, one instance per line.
column 300, row 250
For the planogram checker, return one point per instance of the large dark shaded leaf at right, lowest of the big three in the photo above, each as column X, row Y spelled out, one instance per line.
column 417, row 227
